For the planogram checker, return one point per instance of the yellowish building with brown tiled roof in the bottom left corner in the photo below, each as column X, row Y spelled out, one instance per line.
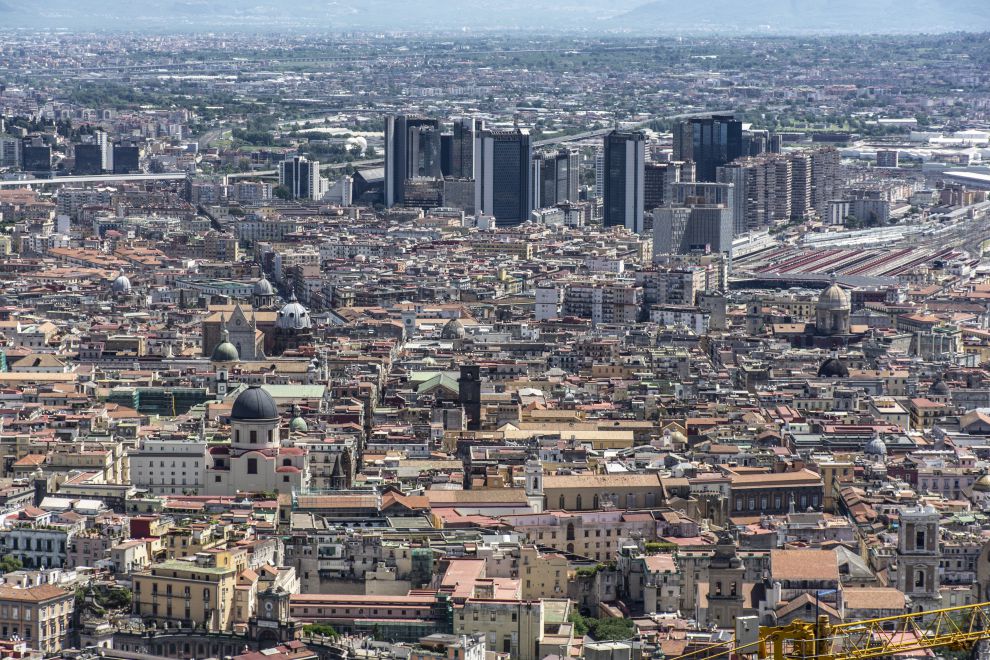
column 41, row 616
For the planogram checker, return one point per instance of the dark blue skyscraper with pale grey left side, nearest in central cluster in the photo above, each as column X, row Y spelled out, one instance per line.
column 502, row 170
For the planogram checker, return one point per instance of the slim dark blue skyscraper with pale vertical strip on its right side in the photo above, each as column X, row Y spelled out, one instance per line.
column 624, row 163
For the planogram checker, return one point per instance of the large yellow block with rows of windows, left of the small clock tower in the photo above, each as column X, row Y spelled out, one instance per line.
column 193, row 591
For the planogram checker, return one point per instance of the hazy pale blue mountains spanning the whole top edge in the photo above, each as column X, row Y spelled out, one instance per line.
column 658, row 16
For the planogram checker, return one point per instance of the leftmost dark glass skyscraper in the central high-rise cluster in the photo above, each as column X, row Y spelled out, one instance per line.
column 412, row 149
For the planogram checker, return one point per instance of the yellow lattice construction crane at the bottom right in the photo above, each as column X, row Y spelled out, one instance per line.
column 954, row 628
